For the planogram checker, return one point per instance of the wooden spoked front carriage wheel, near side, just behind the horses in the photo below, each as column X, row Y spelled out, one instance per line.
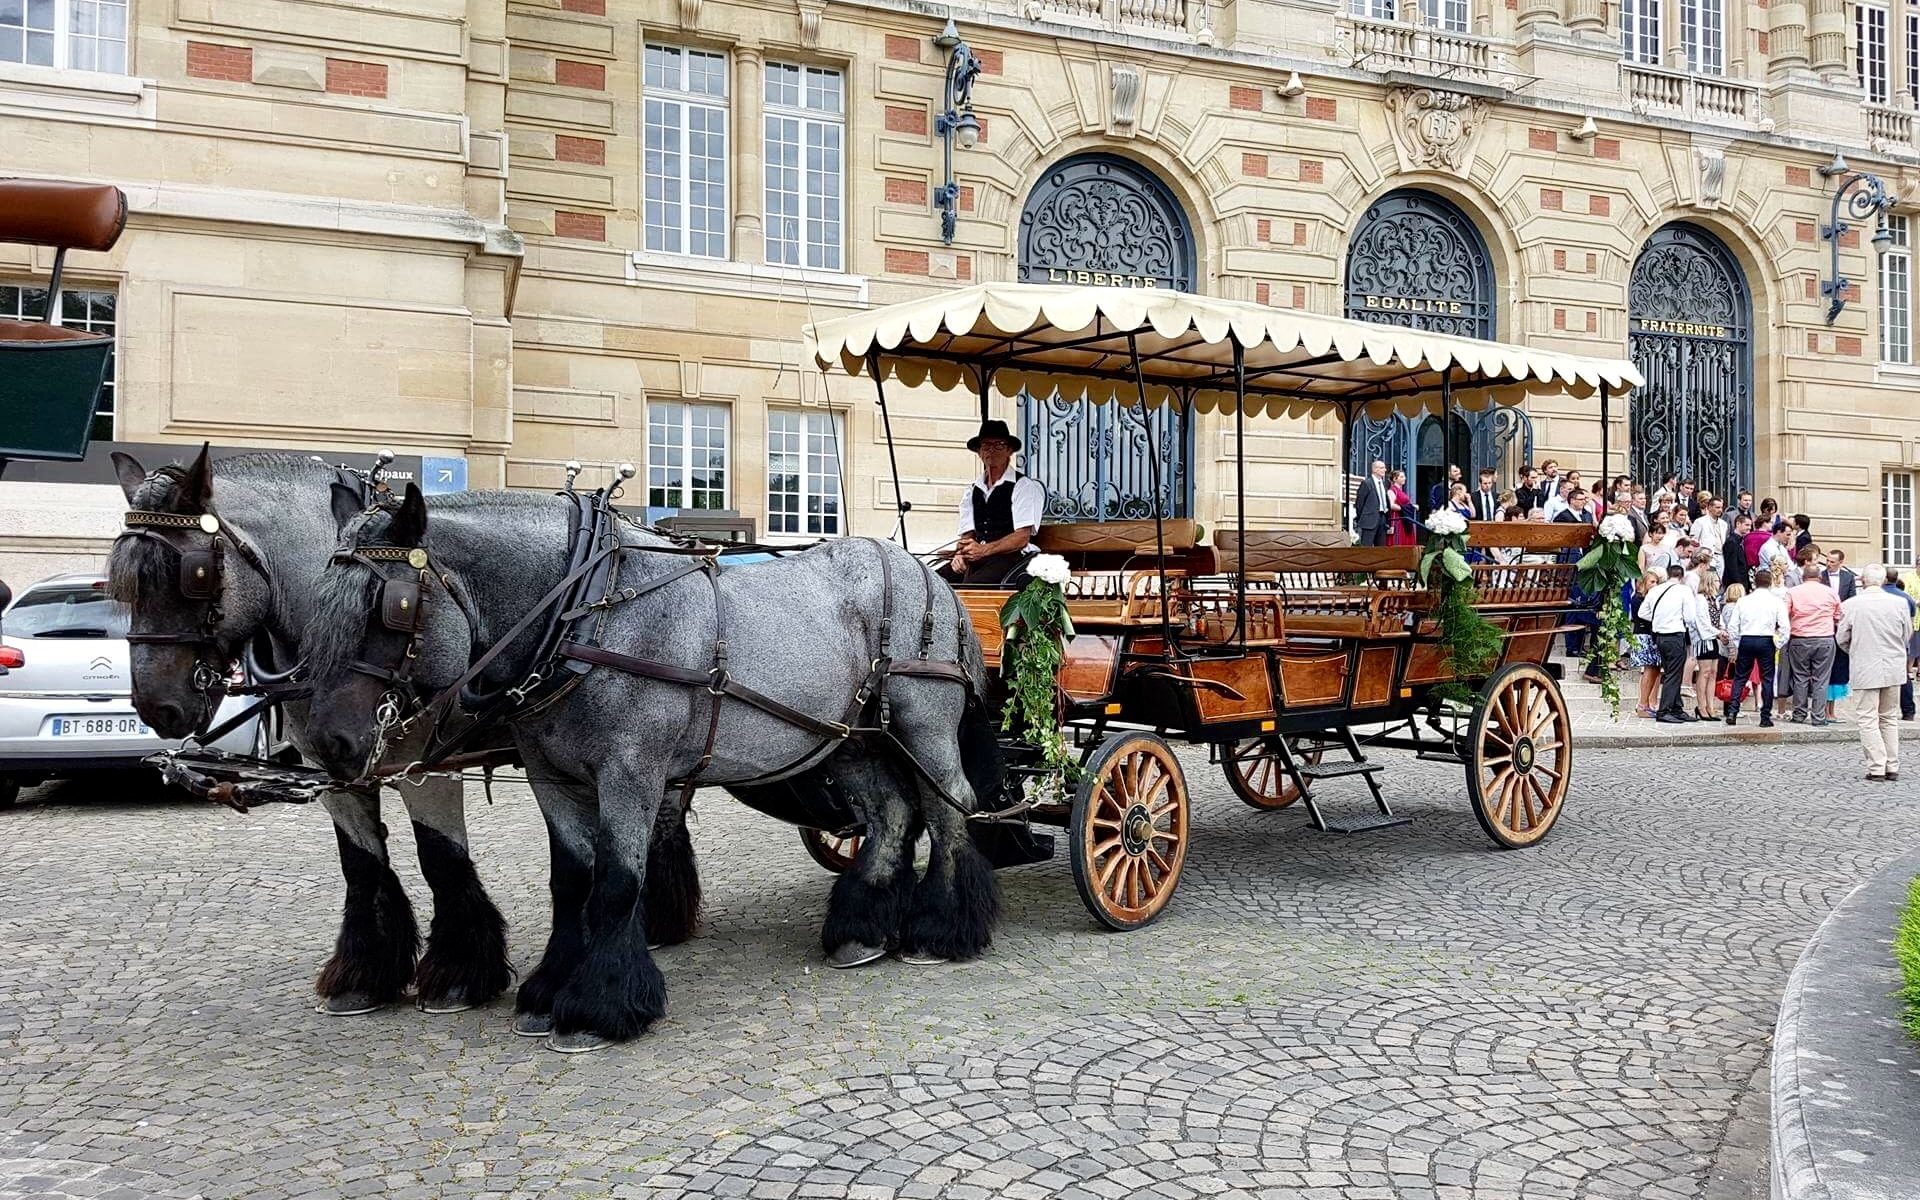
column 1130, row 830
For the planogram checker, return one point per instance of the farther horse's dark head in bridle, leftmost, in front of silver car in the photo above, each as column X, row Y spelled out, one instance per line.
column 195, row 588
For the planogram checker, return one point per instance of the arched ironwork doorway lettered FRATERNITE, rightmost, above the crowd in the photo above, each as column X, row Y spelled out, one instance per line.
column 1691, row 325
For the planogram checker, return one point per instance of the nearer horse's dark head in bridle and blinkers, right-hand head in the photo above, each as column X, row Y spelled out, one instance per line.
column 387, row 635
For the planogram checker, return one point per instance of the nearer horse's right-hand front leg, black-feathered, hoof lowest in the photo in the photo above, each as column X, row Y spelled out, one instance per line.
column 617, row 990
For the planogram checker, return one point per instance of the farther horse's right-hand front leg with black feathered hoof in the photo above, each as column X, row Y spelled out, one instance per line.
column 466, row 959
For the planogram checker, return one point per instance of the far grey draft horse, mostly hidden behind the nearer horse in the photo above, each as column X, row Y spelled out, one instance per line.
column 276, row 514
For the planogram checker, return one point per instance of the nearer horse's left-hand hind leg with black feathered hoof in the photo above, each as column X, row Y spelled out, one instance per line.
column 867, row 909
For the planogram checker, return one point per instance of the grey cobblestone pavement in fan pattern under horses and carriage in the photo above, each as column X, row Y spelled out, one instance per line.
column 1395, row 1015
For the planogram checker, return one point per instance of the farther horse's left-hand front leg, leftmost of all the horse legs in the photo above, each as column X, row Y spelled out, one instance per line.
column 379, row 938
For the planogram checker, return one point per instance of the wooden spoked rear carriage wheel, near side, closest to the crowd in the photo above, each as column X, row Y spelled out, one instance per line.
column 1520, row 756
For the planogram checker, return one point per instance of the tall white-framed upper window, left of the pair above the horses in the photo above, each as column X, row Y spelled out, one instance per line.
column 688, row 103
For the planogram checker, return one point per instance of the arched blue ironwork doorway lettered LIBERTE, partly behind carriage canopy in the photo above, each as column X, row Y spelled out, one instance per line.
column 1109, row 222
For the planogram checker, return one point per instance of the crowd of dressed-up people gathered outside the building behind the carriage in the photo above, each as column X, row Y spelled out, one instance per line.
column 1737, row 608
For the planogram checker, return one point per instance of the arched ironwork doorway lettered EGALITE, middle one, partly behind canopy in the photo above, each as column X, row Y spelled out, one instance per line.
column 1418, row 260
